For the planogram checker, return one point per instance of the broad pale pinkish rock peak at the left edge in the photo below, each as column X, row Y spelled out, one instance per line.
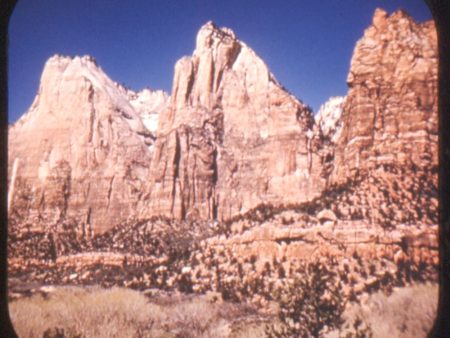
column 81, row 151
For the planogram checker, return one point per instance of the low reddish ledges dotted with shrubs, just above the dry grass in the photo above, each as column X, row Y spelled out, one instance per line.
column 251, row 263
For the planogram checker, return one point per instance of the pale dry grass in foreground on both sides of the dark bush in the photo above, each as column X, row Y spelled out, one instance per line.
column 118, row 312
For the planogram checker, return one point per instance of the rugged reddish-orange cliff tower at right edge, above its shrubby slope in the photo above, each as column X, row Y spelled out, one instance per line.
column 390, row 115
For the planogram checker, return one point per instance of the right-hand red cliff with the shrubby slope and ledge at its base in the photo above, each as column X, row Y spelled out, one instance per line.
column 380, row 146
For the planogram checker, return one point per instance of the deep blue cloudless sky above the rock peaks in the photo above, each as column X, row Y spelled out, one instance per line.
column 307, row 44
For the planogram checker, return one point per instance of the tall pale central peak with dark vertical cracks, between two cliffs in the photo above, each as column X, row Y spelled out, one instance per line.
column 232, row 136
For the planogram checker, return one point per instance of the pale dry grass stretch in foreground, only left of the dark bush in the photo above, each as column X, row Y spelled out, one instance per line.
column 120, row 312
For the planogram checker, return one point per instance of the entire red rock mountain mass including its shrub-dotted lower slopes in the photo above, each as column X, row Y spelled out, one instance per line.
column 355, row 190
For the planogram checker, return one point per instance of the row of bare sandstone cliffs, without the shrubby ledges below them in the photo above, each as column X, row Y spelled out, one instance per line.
column 230, row 137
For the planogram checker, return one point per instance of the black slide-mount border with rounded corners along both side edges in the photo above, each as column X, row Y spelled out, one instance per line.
column 441, row 13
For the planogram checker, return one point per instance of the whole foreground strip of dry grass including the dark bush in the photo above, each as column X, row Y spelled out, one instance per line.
column 120, row 312
